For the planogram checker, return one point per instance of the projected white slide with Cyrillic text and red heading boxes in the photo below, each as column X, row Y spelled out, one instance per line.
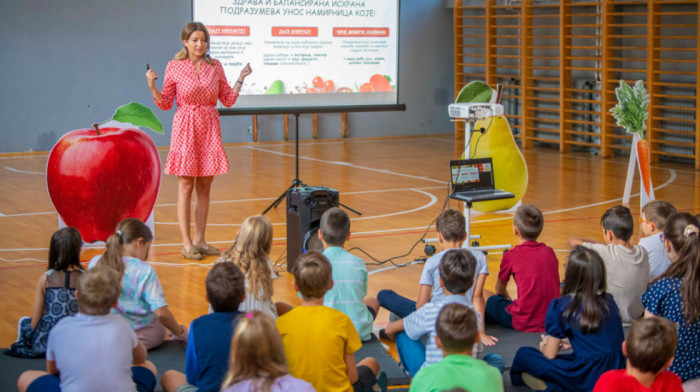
column 306, row 52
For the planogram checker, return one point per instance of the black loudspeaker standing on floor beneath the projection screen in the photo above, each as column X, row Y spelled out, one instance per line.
column 305, row 205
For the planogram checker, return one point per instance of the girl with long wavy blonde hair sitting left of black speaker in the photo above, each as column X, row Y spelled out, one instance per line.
column 250, row 252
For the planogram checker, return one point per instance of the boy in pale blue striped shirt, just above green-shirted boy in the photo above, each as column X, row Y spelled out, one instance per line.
column 456, row 274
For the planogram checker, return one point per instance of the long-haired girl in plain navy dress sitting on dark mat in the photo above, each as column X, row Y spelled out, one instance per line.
column 589, row 318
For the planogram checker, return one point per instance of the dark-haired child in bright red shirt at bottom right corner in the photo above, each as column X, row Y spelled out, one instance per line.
column 649, row 348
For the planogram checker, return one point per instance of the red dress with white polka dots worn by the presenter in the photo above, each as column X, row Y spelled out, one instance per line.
column 195, row 145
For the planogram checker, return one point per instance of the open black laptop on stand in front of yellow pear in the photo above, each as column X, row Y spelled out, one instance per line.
column 472, row 180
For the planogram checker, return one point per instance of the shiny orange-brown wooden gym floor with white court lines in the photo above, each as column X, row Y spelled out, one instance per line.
column 399, row 184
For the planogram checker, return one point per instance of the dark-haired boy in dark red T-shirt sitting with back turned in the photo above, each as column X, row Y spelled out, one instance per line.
column 534, row 268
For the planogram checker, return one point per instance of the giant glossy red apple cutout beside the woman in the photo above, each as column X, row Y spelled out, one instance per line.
column 98, row 177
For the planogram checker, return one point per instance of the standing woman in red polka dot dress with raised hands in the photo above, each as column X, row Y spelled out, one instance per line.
column 196, row 154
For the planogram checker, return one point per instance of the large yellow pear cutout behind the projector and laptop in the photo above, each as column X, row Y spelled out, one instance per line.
column 497, row 142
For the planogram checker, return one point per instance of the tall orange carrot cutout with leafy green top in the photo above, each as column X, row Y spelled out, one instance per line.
column 631, row 113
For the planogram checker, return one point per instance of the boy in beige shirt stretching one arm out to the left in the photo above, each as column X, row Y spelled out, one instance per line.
column 627, row 265
